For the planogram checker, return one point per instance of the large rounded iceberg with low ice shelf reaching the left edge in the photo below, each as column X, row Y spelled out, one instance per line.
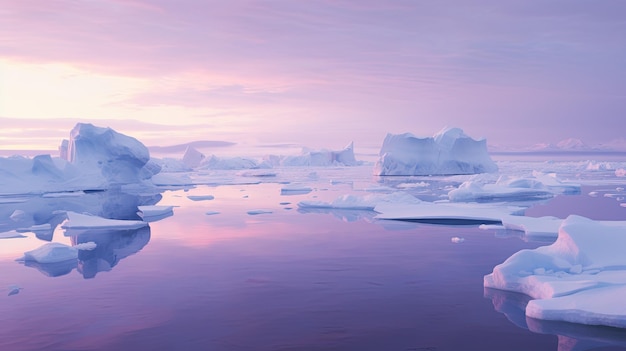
column 93, row 158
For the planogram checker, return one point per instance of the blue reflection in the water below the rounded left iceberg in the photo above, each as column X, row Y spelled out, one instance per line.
column 42, row 215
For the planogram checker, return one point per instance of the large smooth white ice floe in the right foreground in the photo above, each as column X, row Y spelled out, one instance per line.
column 580, row 278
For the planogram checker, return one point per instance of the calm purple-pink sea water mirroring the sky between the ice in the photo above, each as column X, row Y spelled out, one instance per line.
column 286, row 280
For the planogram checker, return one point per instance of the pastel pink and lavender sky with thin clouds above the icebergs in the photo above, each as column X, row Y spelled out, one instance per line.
column 319, row 73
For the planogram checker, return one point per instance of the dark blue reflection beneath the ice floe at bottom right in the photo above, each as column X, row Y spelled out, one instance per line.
column 571, row 336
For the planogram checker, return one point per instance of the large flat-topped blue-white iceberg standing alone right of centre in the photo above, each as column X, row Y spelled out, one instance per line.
column 446, row 153
